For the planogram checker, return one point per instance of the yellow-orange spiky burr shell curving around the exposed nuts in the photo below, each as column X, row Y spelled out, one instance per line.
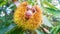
column 32, row 23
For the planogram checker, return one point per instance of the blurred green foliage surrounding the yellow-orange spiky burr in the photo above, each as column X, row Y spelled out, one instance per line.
column 51, row 18
